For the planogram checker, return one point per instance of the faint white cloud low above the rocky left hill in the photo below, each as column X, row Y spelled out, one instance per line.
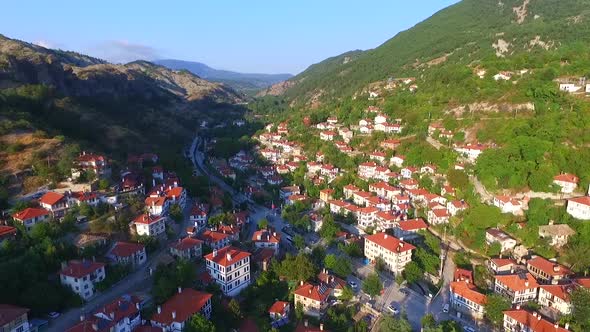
column 122, row 51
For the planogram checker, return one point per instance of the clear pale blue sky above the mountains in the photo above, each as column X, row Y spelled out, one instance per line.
column 267, row 36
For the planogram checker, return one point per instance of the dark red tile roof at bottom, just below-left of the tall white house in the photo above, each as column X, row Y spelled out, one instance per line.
column 185, row 304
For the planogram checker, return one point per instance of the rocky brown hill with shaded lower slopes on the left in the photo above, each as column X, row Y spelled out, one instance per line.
column 113, row 108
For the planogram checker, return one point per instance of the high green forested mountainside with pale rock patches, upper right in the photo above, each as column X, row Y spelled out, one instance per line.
column 466, row 33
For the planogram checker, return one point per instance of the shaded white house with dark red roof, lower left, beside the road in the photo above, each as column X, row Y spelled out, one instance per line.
column 81, row 276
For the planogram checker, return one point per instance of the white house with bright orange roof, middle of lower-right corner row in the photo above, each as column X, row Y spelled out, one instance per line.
column 518, row 288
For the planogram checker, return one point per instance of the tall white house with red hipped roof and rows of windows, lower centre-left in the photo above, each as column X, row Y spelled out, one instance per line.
column 230, row 268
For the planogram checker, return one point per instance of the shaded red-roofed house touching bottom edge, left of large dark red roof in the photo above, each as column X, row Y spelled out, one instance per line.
column 121, row 315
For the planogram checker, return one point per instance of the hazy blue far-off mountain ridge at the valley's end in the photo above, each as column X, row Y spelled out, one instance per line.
column 245, row 82
